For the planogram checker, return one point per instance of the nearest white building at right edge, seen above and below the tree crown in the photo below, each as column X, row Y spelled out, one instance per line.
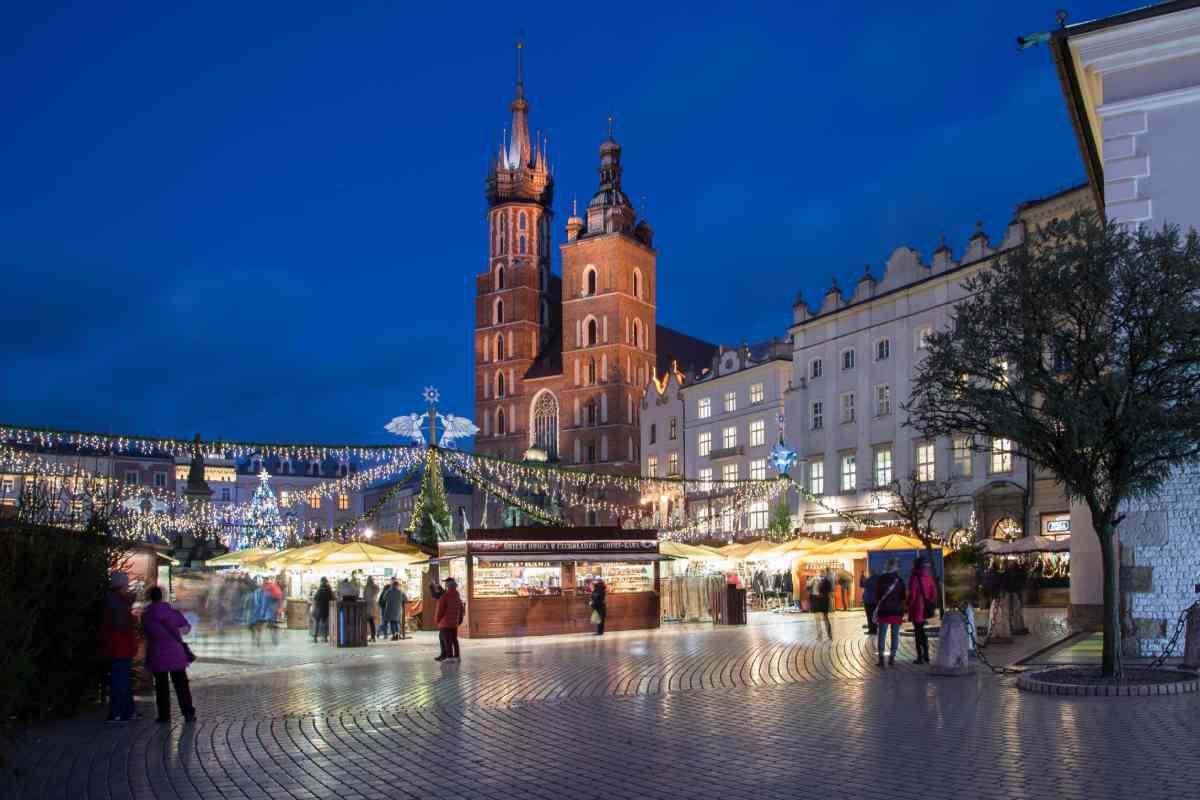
column 1132, row 86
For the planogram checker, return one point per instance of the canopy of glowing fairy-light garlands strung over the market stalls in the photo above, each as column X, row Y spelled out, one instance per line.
column 158, row 513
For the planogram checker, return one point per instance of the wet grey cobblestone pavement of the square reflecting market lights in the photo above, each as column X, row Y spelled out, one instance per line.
column 761, row 712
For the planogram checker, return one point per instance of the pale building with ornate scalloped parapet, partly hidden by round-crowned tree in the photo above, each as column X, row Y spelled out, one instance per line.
column 853, row 368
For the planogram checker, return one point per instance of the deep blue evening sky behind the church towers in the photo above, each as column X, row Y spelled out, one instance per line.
column 265, row 221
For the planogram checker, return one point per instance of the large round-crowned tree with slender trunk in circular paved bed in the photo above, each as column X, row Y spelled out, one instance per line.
column 1083, row 350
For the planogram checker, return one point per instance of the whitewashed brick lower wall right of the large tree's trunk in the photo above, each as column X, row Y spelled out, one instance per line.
column 1160, row 563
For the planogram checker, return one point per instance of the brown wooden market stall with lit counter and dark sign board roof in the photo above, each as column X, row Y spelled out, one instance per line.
column 538, row 581
